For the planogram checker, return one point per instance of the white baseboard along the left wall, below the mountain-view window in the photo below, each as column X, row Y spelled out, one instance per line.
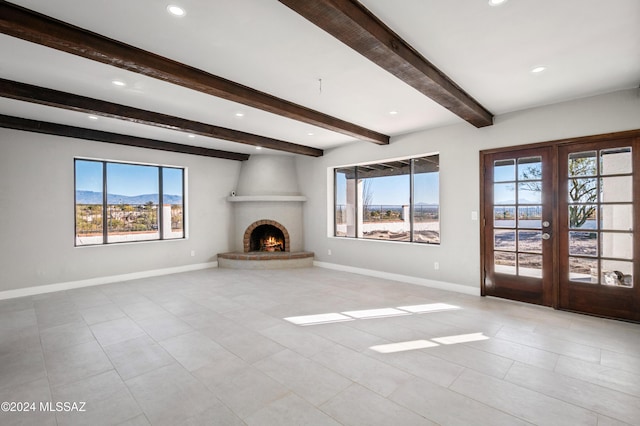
column 30, row 291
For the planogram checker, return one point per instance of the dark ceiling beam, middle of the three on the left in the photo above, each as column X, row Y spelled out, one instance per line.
column 54, row 98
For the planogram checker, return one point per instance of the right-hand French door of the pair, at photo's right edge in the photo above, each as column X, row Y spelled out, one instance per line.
column 598, row 213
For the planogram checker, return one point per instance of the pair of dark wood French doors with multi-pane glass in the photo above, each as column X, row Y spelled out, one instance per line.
column 560, row 225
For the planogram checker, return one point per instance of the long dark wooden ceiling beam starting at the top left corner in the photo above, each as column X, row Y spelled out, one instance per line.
column 28, row 25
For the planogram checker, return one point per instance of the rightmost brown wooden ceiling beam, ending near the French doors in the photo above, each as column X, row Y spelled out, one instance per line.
column 354, row 25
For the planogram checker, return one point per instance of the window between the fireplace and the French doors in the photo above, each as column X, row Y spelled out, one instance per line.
column 395, row 200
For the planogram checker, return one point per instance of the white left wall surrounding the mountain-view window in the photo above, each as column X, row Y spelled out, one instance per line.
column 37, row 212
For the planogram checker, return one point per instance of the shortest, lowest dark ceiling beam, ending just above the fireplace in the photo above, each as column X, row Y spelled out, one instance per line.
column 115, row 138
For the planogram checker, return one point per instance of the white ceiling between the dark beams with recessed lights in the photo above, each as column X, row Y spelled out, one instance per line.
column 588, row 46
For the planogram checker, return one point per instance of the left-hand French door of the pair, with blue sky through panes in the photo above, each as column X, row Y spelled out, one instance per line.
column 519, row 225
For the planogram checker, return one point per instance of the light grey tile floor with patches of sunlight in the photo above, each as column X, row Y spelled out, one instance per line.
column 213, row 348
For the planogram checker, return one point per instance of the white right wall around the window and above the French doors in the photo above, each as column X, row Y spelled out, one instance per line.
column 459, row 145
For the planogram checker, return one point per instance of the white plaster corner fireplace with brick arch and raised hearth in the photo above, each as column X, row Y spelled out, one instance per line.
column 267, row 194
